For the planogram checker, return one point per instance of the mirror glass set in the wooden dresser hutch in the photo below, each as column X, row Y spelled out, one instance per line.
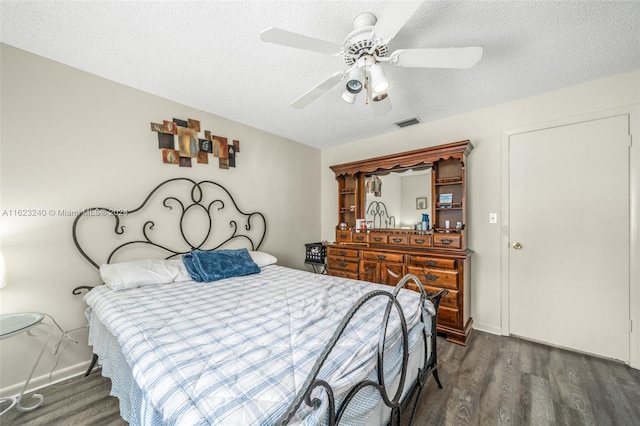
column 398, row 199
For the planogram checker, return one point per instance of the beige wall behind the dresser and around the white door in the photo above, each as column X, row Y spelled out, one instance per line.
column 484, row 128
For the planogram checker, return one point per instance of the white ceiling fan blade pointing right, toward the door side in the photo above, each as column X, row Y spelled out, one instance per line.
column 454, row 57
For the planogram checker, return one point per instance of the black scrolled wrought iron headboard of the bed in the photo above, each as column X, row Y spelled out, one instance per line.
column 206, row 205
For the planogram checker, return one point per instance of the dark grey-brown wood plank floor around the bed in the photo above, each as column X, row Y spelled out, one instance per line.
column 492, row 381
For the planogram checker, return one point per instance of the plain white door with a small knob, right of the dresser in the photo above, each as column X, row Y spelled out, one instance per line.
column 569, row 236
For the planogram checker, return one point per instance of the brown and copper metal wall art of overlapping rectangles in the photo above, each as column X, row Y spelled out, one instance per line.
column 190, row 146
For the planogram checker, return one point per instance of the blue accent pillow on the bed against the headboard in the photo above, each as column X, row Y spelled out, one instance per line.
column 207, row 266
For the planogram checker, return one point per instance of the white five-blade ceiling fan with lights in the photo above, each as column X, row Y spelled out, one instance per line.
column 365, row 49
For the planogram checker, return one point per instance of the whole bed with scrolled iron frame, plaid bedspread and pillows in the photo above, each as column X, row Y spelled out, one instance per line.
column 262, row 345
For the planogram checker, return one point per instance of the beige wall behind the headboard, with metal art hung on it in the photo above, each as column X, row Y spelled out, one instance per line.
column 71, row 140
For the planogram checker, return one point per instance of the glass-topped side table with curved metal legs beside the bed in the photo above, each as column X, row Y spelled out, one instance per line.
column 12, row 325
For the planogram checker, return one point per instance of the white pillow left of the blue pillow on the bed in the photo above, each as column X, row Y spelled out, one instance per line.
column 125, row 275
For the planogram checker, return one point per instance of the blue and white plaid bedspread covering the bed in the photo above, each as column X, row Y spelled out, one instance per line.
column 236, row 351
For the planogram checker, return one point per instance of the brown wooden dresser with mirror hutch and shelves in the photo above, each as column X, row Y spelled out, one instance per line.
column 437, row 256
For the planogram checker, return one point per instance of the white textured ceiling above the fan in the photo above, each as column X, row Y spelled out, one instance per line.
column 208, row 55
